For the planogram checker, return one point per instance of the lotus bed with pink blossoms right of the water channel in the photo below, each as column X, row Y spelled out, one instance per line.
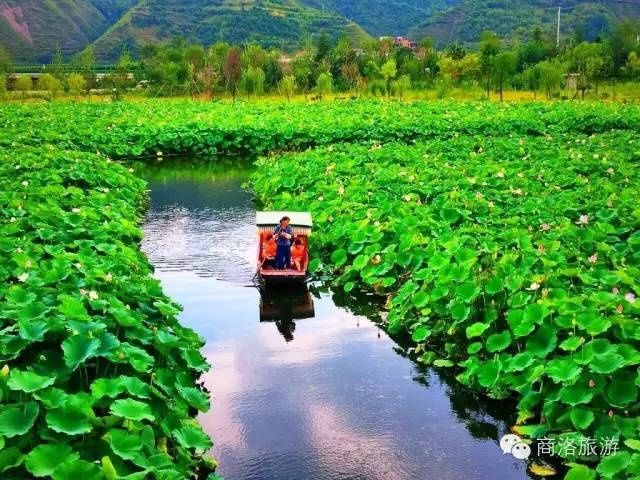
column 514, row 260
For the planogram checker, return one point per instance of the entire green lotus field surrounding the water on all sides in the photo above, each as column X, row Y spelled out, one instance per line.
column 505, row 238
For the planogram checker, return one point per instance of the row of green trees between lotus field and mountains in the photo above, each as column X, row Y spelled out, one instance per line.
column 379, row 67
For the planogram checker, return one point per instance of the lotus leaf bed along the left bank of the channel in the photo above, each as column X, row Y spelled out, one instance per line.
column 98, row 378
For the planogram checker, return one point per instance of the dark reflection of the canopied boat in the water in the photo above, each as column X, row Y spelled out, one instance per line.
column 284, row 306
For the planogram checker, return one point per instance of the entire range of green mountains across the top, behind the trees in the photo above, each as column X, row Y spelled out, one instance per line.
column 32, row 29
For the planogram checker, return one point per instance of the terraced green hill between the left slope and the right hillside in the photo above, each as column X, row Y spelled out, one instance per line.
column 280, row 23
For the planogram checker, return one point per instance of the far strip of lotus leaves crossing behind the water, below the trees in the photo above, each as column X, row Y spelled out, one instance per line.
column 182, row 127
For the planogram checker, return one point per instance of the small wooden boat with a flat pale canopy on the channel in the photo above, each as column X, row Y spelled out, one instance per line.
column 266, row 222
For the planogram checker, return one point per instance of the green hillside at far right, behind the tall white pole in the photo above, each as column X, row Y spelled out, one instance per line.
column 466, row 21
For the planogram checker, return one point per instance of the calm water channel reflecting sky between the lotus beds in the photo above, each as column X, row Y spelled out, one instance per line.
column 304, row 386
